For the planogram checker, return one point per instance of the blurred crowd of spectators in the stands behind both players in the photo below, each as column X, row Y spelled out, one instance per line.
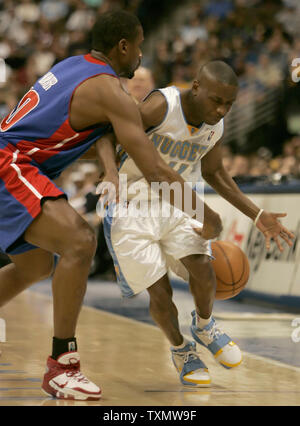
column 258, row 38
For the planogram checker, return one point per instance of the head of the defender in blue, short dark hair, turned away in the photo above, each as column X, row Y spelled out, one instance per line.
column 119, row 35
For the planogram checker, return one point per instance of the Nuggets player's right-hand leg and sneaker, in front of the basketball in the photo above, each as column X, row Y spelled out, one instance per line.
column 204, row 328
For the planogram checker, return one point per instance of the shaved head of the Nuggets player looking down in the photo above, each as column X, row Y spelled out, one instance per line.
column 214, row 90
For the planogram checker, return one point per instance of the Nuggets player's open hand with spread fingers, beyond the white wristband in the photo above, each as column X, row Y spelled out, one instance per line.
column 270, row 226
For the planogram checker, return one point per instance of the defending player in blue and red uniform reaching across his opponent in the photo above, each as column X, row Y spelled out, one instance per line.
column 57, row 121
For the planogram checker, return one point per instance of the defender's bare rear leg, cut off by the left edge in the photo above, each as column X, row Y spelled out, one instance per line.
column 26, row 269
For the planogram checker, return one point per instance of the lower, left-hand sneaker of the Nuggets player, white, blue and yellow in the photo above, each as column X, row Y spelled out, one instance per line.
column 193, row 372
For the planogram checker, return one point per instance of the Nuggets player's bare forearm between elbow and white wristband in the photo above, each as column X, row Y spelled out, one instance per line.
column 224, row 185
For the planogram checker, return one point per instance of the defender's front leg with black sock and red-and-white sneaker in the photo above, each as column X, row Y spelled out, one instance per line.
column 60, row 229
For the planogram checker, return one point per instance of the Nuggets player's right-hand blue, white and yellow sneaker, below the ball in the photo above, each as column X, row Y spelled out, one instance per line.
column 225, row 351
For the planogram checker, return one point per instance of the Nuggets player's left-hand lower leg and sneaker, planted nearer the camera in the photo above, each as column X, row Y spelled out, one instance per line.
column 192, row 371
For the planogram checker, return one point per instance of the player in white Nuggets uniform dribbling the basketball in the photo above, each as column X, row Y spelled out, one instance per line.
column 186, row 127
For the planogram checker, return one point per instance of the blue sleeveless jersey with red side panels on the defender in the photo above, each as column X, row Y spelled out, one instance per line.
column 39, row 125
